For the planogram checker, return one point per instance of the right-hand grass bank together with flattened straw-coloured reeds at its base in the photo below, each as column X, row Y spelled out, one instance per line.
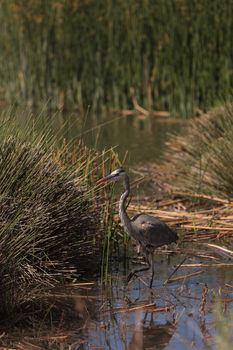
column 196, row 178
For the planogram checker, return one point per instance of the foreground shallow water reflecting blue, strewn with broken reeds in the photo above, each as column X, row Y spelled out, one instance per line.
column 133, row 316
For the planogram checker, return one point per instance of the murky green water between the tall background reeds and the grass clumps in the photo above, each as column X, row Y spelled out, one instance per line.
column 142, row 138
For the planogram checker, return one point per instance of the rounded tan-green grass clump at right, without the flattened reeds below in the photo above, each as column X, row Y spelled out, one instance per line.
column 201, row 159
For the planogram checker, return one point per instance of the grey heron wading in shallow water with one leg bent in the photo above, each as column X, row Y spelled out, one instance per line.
column 148, row 231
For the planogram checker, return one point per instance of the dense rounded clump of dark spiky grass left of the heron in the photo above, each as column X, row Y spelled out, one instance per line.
column 45, row 216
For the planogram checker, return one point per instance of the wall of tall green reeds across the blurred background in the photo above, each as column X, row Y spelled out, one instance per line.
column 170, row 55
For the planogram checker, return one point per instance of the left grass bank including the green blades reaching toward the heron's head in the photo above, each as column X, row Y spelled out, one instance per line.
column 50, row 214
